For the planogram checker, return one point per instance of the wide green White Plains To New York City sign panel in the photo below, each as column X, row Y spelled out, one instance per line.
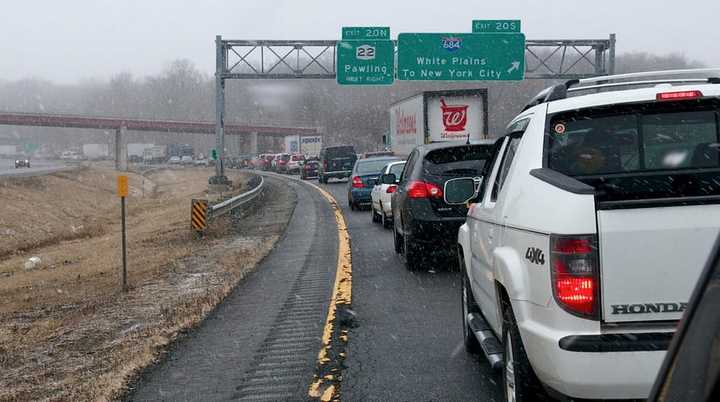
column 461, row 57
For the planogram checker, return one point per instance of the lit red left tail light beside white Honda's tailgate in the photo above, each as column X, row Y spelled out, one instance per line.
column 575, row 274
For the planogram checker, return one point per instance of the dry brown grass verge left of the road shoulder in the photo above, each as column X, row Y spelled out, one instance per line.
column 68, row 332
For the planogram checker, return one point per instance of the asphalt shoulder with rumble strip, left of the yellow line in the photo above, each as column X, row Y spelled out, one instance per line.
column 261, row 343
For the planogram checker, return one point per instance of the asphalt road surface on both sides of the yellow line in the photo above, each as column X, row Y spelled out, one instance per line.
column 262, row 342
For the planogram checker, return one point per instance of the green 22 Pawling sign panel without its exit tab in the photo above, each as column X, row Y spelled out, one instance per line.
column 365, row 62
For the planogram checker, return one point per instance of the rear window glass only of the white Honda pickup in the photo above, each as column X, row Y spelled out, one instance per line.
column 588, row 144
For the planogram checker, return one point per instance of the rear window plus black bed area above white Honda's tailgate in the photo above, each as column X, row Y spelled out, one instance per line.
column 639, row 151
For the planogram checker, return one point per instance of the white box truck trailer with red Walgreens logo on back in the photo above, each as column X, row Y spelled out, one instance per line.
column 437, row 116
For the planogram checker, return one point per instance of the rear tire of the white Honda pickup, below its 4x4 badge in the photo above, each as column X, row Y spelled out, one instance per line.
column 516, row 365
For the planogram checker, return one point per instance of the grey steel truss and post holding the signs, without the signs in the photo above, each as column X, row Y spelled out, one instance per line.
column 315, row 59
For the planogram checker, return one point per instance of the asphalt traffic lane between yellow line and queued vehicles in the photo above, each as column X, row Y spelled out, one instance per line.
column 407, row 345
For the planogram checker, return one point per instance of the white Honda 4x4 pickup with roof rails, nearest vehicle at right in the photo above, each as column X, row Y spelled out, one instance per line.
column 586, row 235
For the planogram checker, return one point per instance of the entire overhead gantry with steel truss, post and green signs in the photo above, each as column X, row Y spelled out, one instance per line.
column 495, row 50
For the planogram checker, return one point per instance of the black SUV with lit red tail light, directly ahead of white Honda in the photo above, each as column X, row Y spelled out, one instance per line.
column 425, row 225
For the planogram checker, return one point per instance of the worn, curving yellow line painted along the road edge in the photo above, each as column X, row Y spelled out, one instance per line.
column 324, row 386
